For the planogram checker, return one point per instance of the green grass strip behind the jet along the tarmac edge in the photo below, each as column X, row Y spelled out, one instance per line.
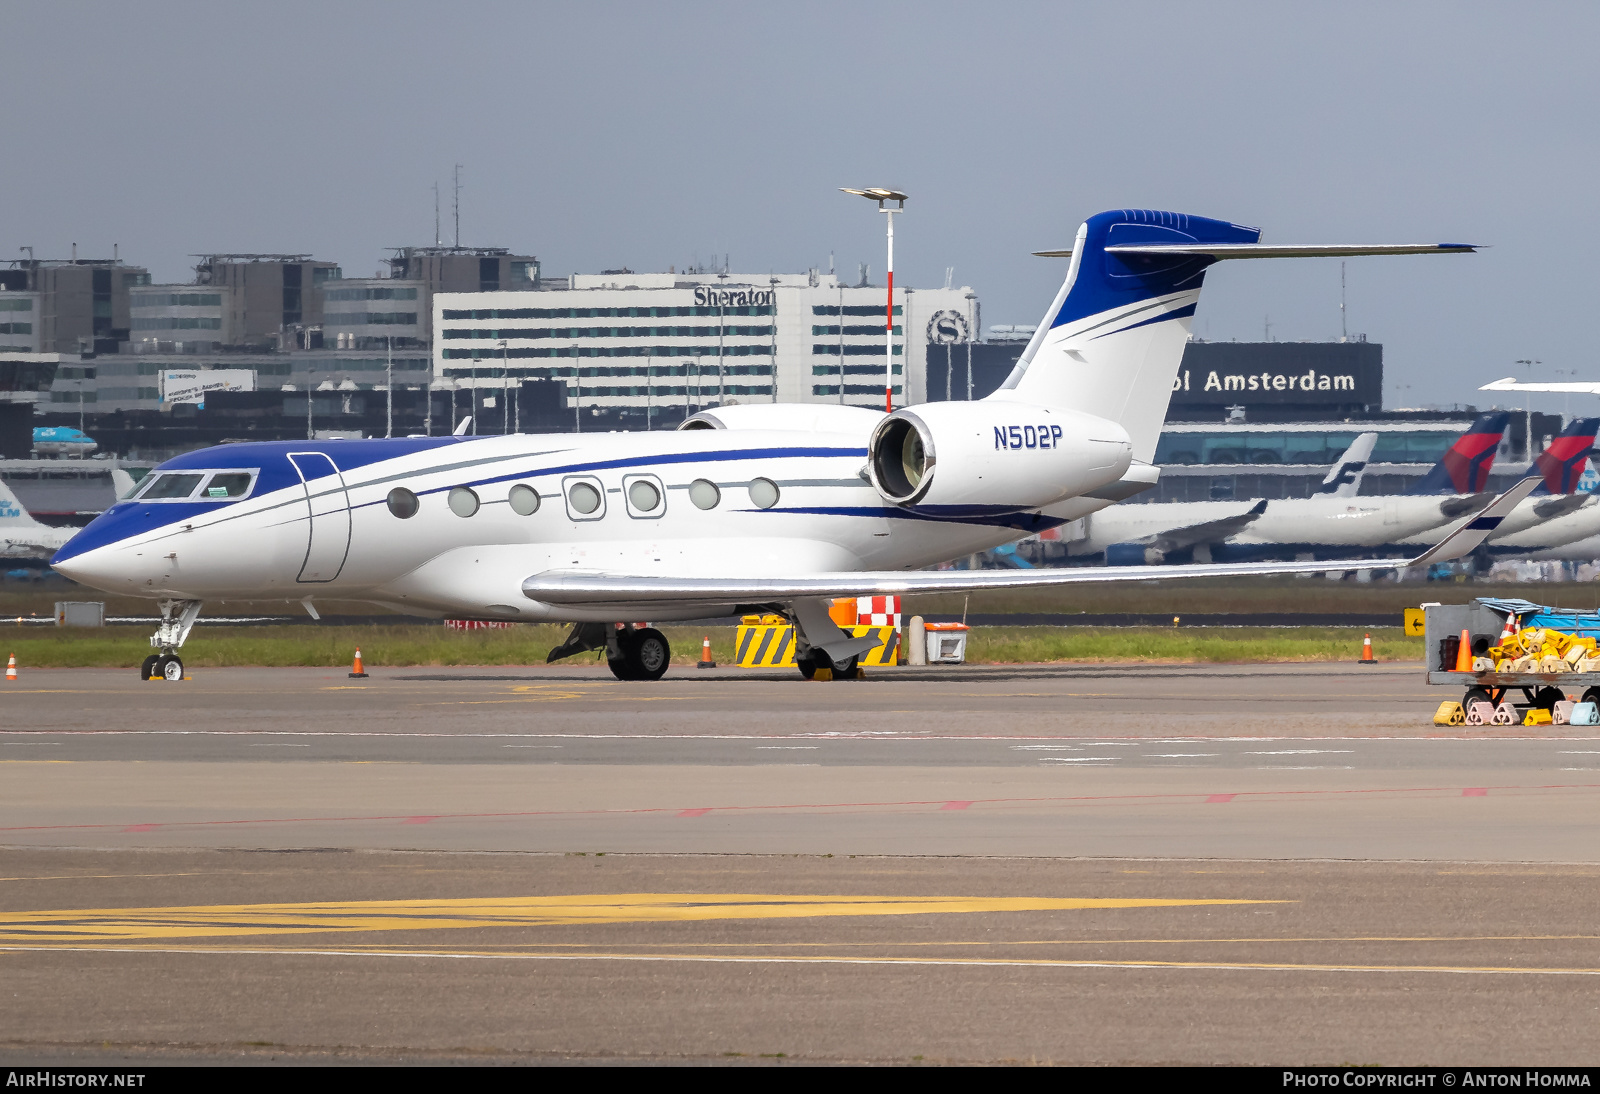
column 527, row 645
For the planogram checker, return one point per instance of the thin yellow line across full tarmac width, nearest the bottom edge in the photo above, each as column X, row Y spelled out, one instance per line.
column 802, row 959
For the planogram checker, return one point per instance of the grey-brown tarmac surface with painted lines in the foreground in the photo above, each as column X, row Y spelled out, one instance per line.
column 1084, row 864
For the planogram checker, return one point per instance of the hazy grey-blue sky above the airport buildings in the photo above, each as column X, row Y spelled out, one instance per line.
column 644, row 135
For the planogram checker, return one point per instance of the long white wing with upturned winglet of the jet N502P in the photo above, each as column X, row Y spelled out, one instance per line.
column 569, row 588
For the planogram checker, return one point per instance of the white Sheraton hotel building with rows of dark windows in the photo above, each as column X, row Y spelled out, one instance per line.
column 638, row 341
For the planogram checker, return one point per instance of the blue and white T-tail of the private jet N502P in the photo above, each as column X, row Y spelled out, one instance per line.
column 1114, row 337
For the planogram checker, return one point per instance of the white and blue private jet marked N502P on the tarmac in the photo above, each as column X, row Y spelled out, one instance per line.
column 774, row 506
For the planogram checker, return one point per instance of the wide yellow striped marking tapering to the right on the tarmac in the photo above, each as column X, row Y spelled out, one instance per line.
column 84, row 925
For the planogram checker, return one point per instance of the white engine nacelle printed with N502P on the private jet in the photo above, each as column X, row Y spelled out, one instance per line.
column 958, row 460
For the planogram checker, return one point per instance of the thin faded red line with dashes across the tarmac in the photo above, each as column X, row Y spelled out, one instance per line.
column 1084, row 801
